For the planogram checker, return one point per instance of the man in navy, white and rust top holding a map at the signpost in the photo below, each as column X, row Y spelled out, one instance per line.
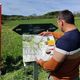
column 64, row 64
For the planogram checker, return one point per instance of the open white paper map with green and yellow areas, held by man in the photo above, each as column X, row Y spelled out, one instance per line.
column 35, row 46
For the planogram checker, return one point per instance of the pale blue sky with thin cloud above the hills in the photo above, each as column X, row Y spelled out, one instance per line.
column 39, row 7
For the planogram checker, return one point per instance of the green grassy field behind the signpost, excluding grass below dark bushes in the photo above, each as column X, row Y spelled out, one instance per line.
column 12, row 42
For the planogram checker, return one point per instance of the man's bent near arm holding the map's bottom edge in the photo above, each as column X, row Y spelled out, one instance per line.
column 54, row 62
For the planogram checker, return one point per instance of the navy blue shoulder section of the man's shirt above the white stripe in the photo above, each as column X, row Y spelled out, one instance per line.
column 68, row 43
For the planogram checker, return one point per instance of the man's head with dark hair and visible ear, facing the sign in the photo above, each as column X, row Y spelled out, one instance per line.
column 65, row 17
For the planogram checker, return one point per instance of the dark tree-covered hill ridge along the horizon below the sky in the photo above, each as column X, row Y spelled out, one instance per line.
column 20, row 17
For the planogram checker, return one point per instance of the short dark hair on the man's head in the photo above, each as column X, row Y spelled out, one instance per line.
column 67, row 16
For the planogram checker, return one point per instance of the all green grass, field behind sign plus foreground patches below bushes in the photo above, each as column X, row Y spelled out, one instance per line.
column 11, row 44
